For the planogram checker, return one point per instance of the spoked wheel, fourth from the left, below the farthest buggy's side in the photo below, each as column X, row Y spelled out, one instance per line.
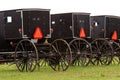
column 102, row 52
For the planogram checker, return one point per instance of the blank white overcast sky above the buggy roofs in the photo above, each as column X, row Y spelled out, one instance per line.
column 95, row 7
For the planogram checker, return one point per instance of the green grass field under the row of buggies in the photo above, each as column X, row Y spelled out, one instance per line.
column 111, row 72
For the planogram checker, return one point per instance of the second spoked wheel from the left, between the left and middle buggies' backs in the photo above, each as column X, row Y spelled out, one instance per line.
column 63, row 55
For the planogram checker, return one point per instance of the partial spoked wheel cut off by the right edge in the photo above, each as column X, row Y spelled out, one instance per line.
column 116, row 53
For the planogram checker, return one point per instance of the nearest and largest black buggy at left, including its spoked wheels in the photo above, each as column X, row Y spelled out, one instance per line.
column 23, row 34
